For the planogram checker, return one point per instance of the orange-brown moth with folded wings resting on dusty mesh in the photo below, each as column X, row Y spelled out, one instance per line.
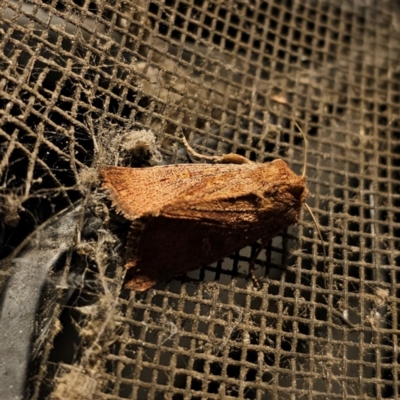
column 187, row 216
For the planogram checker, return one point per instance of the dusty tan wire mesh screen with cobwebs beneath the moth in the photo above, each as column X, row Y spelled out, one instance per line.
column 80, row 81
